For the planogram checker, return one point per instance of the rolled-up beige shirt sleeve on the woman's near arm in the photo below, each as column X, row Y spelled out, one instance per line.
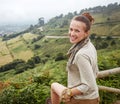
column 86, row 74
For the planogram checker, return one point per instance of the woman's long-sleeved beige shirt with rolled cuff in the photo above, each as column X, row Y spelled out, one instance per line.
column 83, row 71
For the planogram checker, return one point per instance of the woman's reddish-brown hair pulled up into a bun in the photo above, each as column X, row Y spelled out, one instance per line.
column 85, row 18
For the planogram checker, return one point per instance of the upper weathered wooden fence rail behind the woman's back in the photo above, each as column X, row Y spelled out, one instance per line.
column 106, row 73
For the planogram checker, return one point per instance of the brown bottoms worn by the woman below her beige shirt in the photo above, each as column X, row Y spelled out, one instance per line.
column 79, row 101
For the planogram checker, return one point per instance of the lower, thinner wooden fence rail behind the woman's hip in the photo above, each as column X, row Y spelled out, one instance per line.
column 109, row 89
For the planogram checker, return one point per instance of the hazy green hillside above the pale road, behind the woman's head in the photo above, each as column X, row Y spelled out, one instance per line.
column 107, row 18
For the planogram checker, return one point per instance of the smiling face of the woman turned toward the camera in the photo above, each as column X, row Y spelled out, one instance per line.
column 77, row 31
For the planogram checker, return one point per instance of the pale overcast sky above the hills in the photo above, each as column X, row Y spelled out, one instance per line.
column 28, row 11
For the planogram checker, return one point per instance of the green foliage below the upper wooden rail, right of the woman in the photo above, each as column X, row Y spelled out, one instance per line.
column 111, row 81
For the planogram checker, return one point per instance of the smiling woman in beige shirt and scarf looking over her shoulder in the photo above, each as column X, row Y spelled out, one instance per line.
column 81, row 67
